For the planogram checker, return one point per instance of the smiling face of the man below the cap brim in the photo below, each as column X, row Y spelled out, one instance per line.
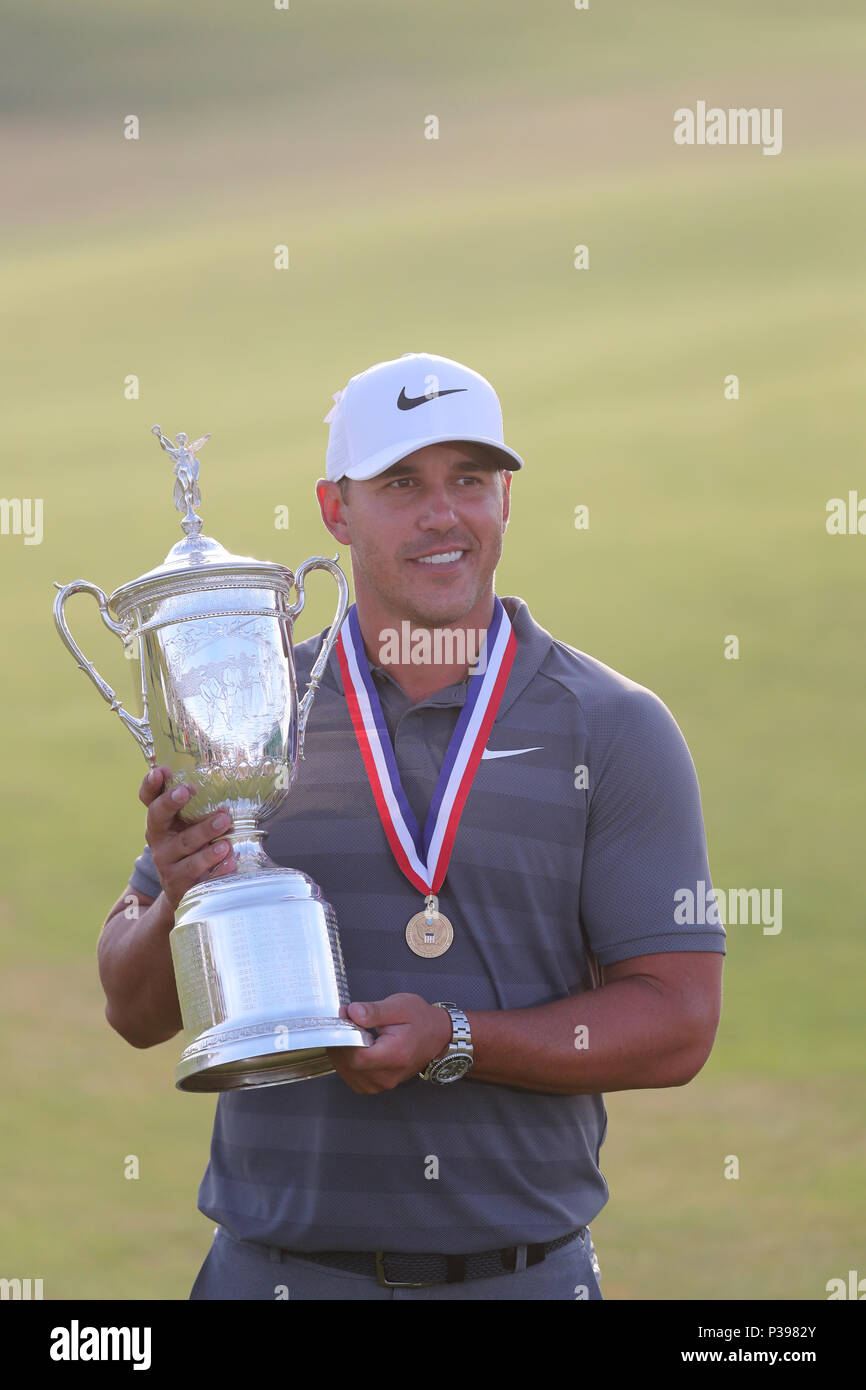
column 426, row 536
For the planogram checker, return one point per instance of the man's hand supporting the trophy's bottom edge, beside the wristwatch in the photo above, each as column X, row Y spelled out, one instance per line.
column 411, row 1035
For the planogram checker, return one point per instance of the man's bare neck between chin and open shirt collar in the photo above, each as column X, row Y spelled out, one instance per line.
column 423, row 658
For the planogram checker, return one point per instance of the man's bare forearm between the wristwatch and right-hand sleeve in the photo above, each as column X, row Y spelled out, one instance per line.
column 625, row 1036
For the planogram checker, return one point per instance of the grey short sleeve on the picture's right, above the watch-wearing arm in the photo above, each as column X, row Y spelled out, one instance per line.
column 646, row 839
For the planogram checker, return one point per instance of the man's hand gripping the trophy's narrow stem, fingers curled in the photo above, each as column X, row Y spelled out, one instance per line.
column 184, row 854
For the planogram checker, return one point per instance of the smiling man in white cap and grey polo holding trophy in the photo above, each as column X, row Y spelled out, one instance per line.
column 514, row 961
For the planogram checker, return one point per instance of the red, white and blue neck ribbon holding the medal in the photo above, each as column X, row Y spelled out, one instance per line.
column 425, row 858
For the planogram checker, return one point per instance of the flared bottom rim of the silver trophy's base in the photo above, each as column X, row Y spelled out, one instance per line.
column 270, row 1054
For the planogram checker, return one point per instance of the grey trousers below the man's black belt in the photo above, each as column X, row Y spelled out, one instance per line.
column 236, row 1270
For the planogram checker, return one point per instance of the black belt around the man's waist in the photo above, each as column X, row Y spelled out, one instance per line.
column 395, row 1270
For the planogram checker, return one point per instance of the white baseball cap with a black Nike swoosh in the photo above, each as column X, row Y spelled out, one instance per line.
column 400, row 407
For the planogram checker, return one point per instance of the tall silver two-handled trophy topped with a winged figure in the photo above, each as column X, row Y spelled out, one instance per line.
column 256, row 954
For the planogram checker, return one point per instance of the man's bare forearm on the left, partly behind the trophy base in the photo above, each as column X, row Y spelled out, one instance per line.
column 137, row 974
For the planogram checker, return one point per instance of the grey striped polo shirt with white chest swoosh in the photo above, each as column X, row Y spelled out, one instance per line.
column 553, row 871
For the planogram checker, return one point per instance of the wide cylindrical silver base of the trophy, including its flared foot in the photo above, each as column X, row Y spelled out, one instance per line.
column 261, row 981
